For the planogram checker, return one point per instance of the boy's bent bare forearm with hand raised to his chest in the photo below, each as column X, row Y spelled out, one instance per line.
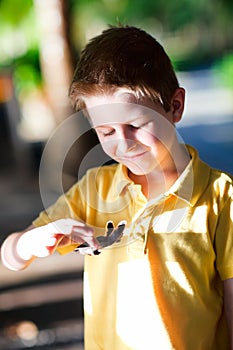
column 21, row 248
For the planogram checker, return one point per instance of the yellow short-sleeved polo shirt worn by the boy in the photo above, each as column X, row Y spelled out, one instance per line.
column 161, row 286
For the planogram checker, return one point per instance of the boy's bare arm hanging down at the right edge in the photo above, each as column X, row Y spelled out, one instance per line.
column 228, row 306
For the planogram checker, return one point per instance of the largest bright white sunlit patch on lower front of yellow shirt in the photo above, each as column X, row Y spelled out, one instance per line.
column 134, row 284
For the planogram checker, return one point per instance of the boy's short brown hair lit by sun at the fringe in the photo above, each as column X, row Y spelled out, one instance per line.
column 124, row 57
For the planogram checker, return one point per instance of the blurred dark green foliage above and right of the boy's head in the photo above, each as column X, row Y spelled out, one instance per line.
column 194, row 32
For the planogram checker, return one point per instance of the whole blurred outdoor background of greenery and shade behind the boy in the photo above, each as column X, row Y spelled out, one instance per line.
column 40, row 42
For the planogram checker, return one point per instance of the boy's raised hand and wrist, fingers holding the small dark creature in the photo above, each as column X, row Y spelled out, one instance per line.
column 42, row 241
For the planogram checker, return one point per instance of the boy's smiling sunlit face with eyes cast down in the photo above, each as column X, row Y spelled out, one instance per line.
column 136, row 135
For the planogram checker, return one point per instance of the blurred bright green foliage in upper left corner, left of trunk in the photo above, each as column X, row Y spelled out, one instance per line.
column 19, row 44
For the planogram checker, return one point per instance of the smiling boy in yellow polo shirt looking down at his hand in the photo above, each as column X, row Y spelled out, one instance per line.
column 168, row 284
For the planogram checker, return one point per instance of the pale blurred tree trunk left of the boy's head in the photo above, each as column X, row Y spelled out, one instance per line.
column 55, row 54
